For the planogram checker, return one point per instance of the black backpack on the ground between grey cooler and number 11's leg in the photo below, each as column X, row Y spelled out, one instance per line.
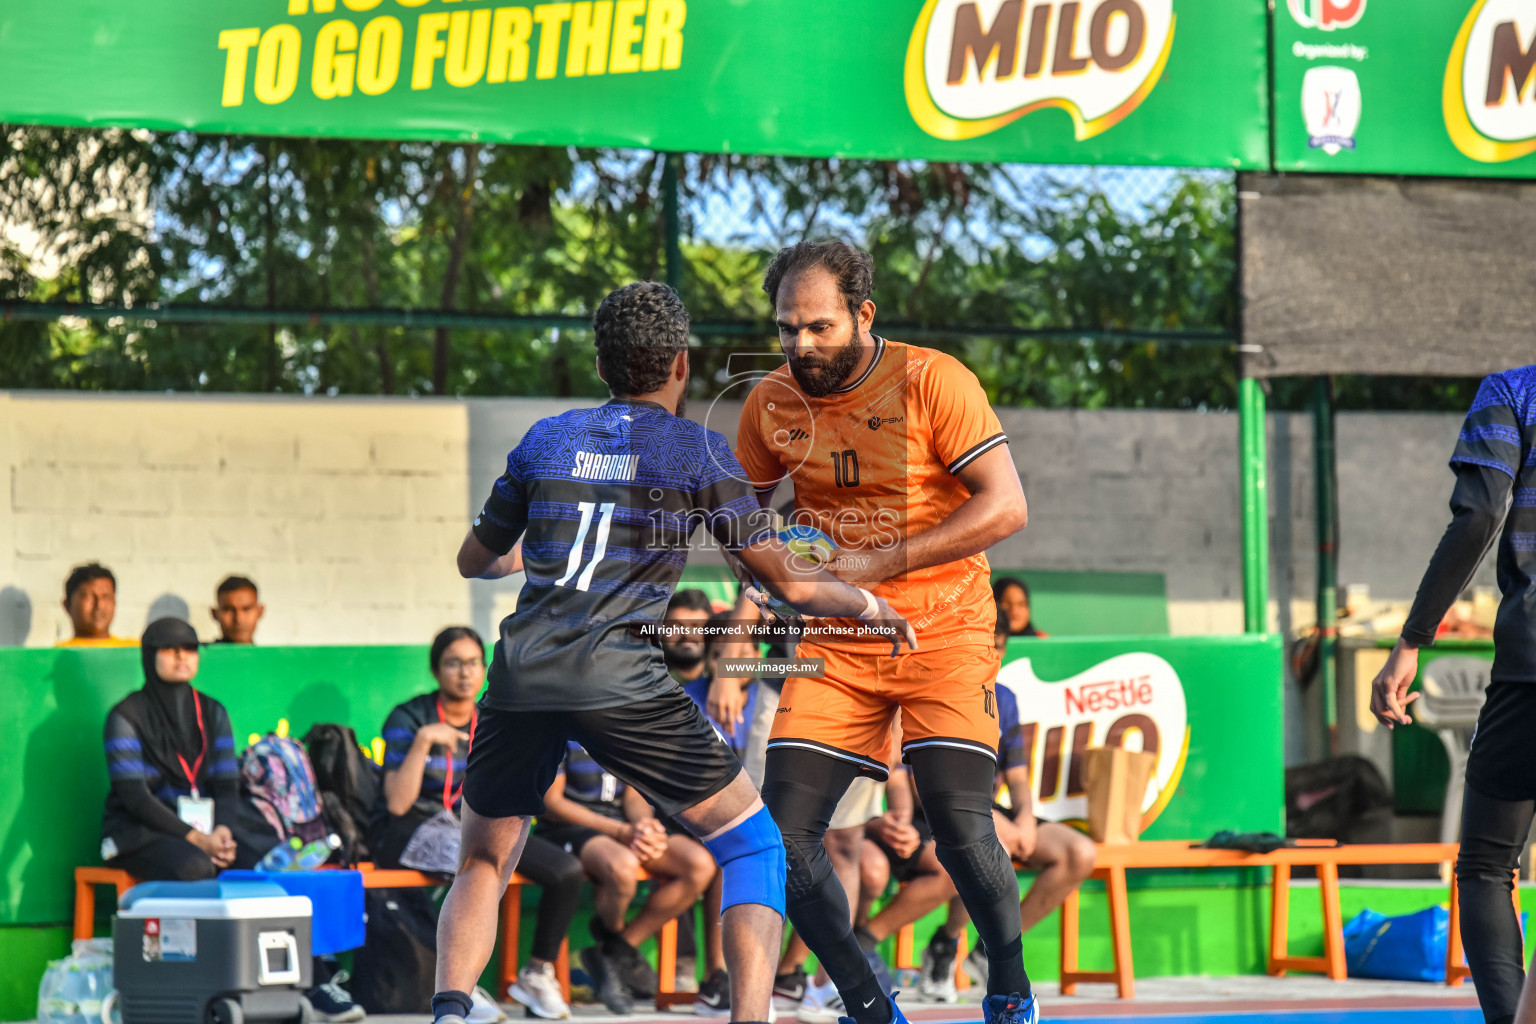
column 396, row 969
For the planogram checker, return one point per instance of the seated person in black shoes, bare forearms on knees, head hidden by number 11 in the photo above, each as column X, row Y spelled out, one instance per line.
column 615, row 833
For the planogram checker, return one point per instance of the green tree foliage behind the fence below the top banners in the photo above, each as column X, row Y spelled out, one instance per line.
column 137, row 219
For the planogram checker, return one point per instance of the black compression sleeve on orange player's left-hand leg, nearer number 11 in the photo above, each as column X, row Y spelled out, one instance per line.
column 803, row 790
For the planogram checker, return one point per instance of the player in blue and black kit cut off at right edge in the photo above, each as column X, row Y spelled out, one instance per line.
column 1494, row 501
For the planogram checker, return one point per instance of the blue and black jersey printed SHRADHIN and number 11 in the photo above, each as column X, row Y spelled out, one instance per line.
column 606, row 501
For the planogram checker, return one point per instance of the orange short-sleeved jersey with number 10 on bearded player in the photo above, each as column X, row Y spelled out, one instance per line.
column 876, row 463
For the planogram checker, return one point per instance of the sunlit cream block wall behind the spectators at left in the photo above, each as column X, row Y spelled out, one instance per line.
column 346, row 514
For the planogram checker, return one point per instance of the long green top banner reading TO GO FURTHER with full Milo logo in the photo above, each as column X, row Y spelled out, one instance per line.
column 1122, row 82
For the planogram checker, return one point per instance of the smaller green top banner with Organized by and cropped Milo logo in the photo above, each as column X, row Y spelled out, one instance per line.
column 1409, row 87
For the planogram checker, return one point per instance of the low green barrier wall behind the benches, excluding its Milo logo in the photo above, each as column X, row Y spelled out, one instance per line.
column 55, row 779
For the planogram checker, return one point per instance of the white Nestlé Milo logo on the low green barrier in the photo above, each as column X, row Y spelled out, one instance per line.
column 1131, row 701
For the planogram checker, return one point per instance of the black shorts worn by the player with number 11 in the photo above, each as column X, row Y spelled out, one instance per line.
column 663, row 747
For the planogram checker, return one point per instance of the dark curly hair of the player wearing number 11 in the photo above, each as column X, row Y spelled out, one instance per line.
column 641, row 329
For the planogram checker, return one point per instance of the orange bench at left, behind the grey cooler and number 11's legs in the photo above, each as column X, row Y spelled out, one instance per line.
column 88, row 879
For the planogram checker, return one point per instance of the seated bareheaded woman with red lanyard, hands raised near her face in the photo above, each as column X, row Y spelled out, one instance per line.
column 426, row 750
